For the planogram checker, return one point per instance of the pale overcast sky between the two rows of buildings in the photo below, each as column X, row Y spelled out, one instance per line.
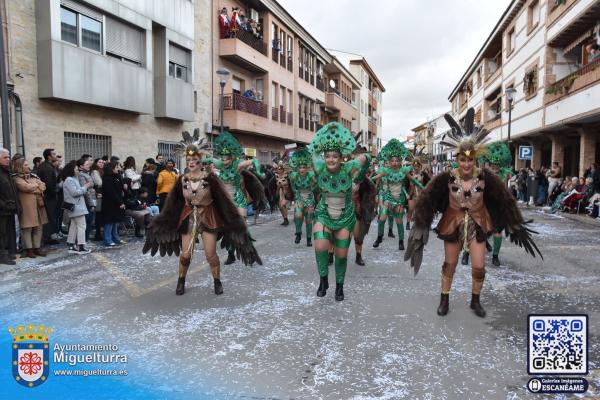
column 419, row 49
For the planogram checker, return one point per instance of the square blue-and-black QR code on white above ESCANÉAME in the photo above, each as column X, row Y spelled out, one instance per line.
column 557, row 344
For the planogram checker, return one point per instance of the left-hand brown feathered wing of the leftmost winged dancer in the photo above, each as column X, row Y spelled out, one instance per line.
column 163, row 233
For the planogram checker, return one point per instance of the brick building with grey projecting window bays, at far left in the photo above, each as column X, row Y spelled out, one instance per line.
column 106, row 77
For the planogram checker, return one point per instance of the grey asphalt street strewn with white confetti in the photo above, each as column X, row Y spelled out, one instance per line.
column 269, row 336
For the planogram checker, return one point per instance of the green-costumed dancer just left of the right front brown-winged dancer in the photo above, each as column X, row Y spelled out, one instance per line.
column 396, row 182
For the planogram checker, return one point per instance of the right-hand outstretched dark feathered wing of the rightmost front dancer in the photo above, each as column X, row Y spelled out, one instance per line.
column 506, row 215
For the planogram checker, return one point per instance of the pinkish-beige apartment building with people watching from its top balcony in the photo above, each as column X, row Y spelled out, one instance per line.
column 276, row 90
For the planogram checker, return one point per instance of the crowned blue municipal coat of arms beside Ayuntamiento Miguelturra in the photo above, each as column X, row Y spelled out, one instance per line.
column 30, row 351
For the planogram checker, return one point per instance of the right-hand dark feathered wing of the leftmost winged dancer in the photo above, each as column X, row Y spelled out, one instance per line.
column 234, row 230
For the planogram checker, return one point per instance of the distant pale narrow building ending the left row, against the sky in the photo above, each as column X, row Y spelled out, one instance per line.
column 368, row 97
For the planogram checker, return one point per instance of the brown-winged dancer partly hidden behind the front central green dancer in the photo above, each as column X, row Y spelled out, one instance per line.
column 364, row 197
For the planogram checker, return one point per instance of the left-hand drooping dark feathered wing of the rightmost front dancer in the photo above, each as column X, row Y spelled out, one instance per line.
column 434, row 198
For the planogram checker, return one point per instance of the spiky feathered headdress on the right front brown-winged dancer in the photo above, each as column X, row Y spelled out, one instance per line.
column 469, row 141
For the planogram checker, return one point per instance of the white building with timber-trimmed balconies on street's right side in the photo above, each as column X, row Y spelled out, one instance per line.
column 539, row 49
